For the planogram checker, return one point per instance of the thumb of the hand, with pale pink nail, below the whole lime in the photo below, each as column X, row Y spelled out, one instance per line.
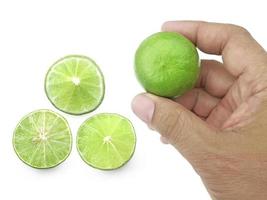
column 183, row 129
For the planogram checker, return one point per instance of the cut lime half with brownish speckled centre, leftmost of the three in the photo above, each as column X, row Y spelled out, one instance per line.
column 42, row 139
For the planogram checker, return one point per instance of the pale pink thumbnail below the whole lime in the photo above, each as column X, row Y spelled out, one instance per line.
column 143, row 107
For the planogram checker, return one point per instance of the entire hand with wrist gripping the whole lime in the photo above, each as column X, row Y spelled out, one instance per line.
column 220, row 126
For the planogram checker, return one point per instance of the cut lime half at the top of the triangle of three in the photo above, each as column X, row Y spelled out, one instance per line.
column 75, row 85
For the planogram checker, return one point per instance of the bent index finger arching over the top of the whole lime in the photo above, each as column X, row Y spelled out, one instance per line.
column 234, row 43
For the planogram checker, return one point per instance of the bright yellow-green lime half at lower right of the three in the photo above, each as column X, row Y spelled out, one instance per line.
column 106, row 141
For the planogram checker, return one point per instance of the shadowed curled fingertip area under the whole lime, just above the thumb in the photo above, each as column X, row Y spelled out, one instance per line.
column 198, row 101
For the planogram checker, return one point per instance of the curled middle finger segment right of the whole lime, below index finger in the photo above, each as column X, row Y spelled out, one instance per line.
column 214, row 78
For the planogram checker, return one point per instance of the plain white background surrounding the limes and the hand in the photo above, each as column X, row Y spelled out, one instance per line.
column 34, row 34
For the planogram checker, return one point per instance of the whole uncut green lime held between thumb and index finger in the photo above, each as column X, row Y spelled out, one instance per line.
column 167, row 64
